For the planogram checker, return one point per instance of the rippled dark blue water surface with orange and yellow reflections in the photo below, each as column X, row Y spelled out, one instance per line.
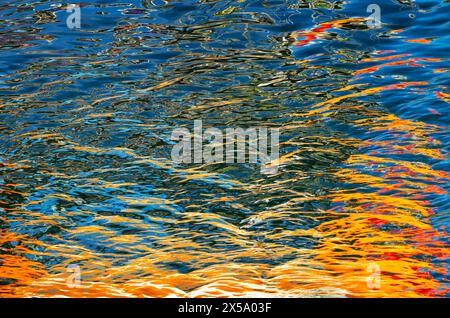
column 87, row 179
